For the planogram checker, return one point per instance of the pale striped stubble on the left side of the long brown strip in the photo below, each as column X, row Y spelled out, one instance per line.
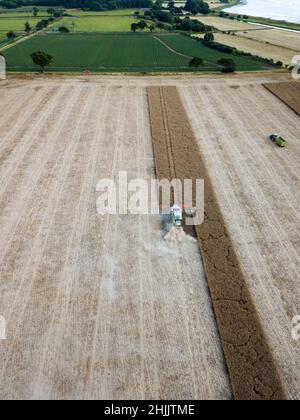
column 87, row 297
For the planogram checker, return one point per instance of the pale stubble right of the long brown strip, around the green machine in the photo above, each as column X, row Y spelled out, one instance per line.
column 257, row 185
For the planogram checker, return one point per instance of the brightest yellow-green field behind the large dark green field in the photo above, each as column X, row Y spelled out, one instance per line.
column 97, row 23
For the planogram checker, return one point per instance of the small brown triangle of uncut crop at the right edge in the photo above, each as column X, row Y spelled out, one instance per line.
column 287, row 92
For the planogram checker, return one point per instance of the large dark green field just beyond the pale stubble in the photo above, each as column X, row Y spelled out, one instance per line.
column 119, row 53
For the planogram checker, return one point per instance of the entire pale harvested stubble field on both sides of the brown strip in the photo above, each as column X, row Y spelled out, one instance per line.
column 101, row 307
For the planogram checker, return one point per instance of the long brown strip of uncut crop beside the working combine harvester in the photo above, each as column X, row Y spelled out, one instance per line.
column 249, row 358
